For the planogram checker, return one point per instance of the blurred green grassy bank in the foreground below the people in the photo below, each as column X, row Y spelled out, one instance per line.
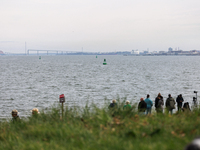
column 94, row 128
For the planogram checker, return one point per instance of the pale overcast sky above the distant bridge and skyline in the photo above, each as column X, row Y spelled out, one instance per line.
column 99, row 25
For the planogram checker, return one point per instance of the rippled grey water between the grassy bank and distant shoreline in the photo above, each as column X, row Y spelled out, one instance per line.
column 27, row 82
